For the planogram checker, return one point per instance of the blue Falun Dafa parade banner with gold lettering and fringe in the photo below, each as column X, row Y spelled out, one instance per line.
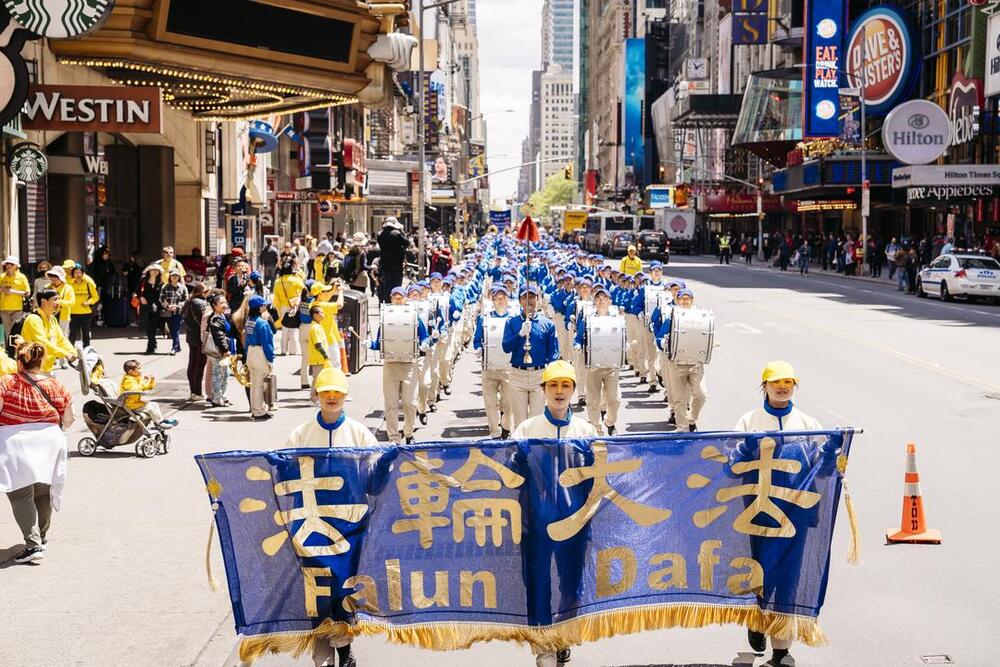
column 444, row 544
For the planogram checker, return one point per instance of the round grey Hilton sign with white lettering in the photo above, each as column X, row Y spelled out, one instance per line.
column 917, row 132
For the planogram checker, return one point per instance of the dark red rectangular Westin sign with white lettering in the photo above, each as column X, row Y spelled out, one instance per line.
column 93, row 109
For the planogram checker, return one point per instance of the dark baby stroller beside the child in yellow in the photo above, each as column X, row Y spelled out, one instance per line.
column 111, row 422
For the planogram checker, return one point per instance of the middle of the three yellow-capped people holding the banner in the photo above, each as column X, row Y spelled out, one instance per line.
column 558, row 381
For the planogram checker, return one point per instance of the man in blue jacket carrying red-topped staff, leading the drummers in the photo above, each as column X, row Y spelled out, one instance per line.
column 538, row 331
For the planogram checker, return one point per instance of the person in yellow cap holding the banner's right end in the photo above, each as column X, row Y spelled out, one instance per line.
column 778, row 413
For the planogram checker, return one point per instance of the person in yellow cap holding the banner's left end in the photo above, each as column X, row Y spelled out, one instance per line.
column 331, row 427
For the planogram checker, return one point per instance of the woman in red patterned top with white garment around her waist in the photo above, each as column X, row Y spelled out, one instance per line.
column 34, row 411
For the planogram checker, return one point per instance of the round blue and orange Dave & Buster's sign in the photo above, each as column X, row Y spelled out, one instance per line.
column 882, row 49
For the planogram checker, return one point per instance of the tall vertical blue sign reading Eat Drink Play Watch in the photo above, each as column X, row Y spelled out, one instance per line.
column 823, row 46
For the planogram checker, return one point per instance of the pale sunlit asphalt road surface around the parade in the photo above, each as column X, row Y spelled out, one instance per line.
column 124, row 582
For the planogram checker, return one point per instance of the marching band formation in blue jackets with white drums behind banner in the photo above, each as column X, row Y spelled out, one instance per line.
column 524, row 310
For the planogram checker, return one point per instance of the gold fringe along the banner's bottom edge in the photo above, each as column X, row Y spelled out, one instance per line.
column 629, row 620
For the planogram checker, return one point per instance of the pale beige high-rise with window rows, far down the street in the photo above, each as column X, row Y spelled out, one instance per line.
column 557, row 137
